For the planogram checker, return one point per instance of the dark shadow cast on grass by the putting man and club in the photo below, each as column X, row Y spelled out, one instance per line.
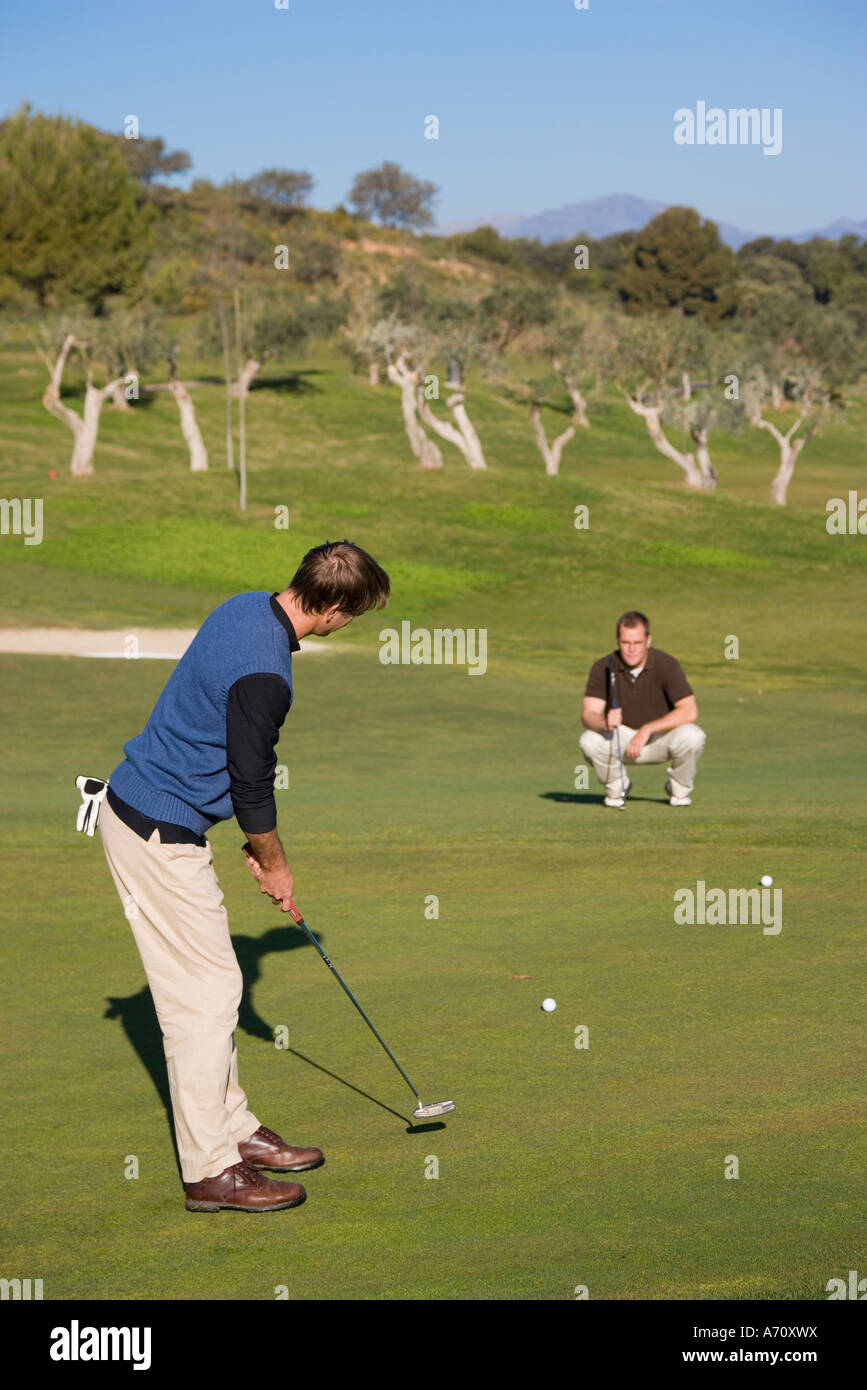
column 141, row 1025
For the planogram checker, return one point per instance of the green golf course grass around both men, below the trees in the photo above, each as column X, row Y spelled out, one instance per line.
column 561, row 1167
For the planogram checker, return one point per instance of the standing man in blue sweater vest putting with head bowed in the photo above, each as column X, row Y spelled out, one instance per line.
column 208, row 754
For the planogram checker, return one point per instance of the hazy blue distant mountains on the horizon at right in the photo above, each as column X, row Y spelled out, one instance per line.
column 619, row 213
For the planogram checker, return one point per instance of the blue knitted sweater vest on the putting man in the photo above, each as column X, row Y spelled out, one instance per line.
column 176, row 769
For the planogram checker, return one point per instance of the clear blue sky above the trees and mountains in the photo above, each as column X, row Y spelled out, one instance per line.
column 540, row 105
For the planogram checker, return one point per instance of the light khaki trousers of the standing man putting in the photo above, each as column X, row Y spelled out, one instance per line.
column 174, row 906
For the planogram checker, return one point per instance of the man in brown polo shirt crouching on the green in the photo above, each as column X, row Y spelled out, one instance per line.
column 651, row 704
